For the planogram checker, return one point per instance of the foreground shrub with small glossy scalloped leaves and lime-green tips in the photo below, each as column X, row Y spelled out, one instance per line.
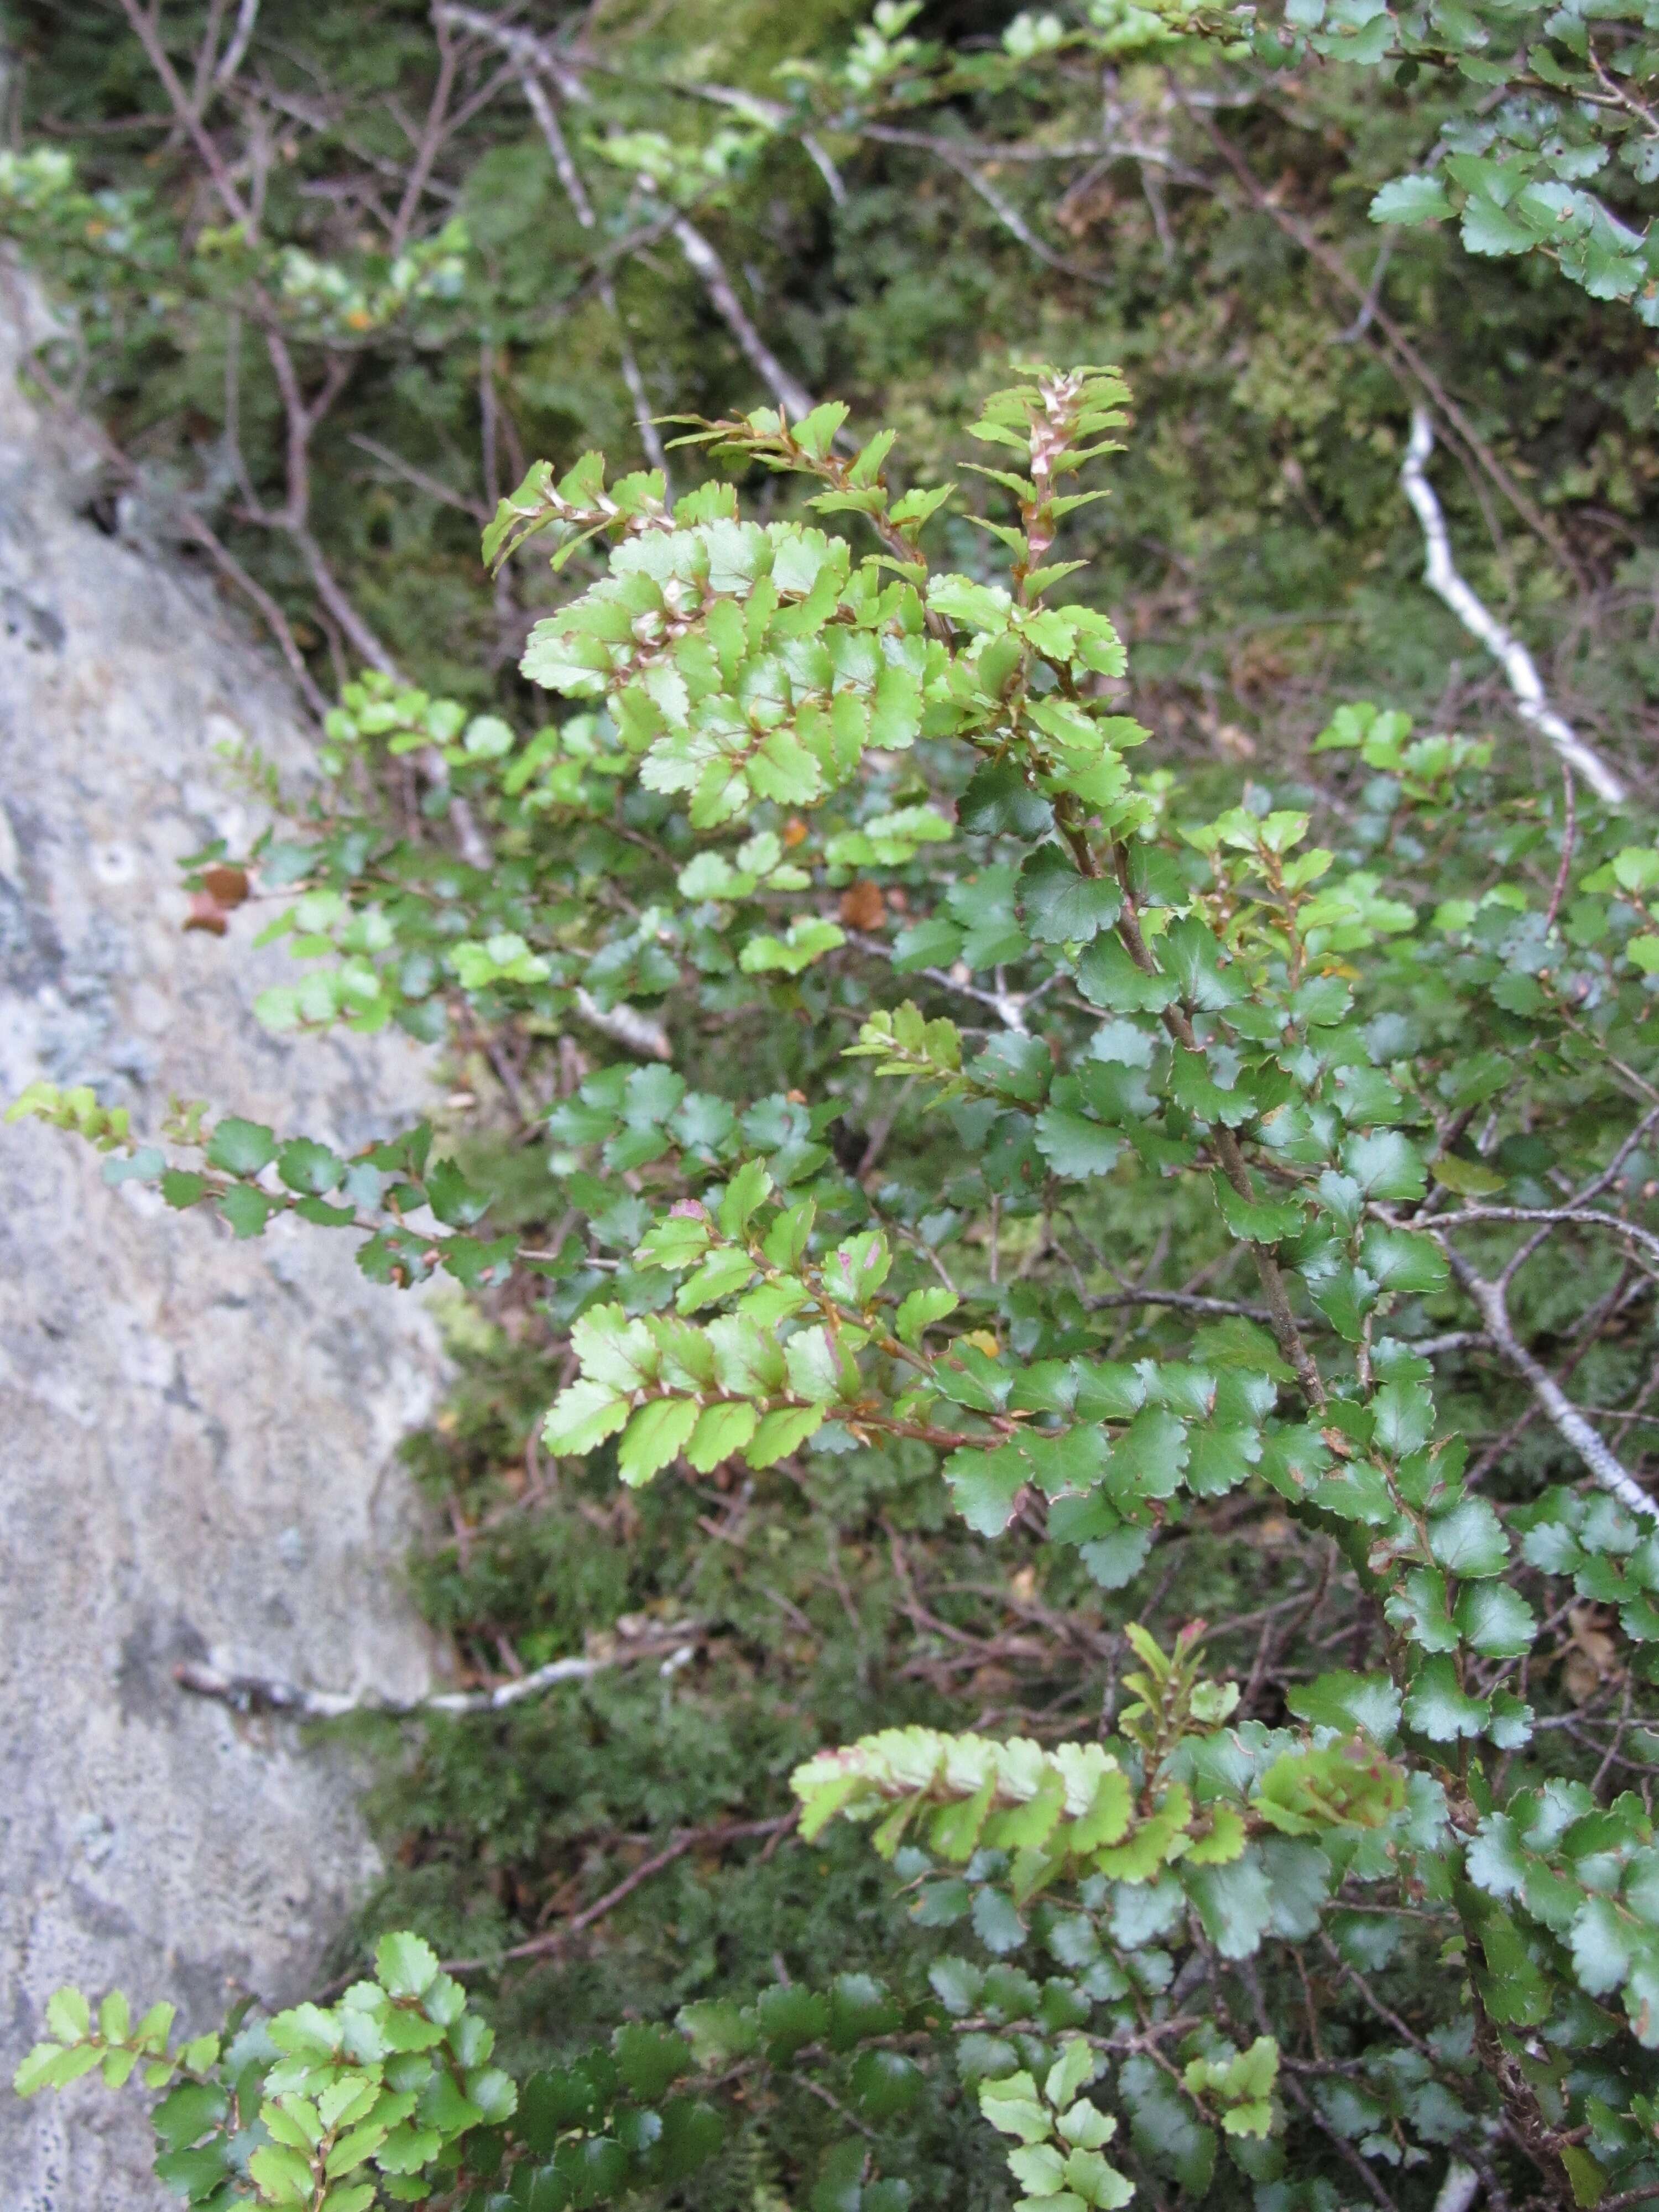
column 1127, row 1171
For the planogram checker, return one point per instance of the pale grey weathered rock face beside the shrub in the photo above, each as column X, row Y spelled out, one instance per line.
column 196, row 1434
